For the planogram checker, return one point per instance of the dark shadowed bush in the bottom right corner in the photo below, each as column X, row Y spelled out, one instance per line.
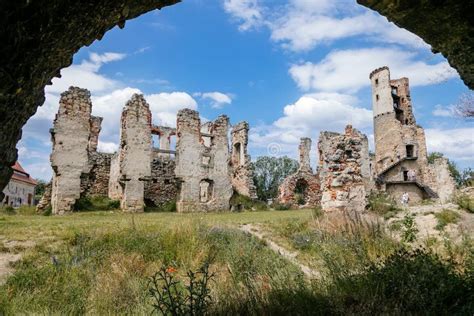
column 406, row 283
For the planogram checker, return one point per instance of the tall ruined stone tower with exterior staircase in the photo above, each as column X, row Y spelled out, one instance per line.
column 401, row 164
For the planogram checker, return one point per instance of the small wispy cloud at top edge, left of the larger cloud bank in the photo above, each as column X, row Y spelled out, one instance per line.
column 248, row 13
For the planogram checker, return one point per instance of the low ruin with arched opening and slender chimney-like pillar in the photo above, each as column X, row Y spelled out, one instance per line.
column 303, row 187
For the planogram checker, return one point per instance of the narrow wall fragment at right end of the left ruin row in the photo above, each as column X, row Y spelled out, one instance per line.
column 242, row 173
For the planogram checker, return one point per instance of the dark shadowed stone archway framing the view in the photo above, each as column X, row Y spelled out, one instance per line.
column 40, row 38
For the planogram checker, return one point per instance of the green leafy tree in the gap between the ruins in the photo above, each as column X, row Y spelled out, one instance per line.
column 269, row 173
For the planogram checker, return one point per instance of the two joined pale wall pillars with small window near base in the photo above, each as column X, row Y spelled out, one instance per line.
column 203, row 171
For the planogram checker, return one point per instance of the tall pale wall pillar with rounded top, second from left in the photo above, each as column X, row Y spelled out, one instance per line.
column 135, row 152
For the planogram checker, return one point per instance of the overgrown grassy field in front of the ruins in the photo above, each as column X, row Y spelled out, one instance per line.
column 102, row 263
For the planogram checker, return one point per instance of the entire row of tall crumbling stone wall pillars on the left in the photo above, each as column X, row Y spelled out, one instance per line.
column 199, row 175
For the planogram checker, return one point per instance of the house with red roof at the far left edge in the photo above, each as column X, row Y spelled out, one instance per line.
column 21, row 188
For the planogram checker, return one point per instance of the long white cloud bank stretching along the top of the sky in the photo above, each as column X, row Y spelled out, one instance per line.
column 301, row 25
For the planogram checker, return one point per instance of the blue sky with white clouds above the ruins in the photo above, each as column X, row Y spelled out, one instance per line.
column 289, row 68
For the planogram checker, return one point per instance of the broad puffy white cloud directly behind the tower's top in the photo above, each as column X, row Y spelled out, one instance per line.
column 347, row 70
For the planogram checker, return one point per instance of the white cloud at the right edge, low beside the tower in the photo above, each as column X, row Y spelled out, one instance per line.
column 456, row 144
